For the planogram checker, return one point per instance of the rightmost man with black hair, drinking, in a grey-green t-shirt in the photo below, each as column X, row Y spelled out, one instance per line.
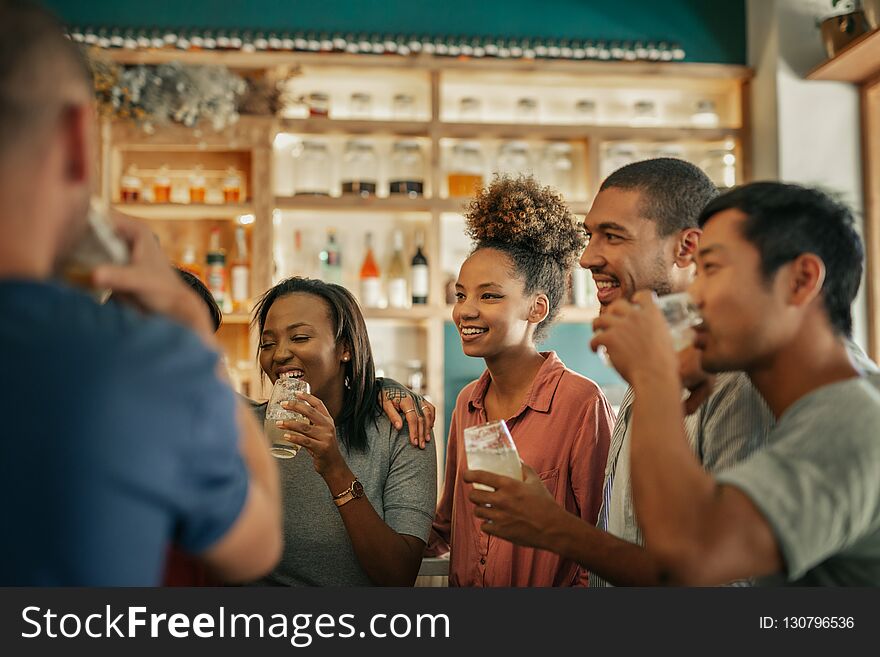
column 778, row 268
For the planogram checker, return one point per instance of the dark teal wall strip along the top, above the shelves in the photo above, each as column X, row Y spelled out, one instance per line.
column 709, row 30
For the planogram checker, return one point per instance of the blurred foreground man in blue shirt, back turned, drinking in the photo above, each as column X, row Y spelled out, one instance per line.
column 121, row 436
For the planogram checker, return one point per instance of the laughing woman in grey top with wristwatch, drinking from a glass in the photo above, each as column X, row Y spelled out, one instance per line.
column 358, row 498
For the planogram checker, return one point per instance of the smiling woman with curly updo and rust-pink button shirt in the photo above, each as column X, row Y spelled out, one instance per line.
column 508, row 293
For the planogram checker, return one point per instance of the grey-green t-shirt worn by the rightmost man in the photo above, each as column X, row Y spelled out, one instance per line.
column 834, row 536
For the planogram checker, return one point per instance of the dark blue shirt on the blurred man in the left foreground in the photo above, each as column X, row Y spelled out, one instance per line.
column 117, row 439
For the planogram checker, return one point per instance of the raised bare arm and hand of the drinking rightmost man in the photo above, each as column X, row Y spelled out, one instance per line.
column 698, row 532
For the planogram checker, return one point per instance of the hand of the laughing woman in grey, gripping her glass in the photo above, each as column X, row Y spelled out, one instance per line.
column 318, row 437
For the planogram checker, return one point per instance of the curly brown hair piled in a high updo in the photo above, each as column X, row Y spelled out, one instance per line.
column 535, row 229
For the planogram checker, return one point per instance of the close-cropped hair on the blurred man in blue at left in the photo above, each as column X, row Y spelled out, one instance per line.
column 41, row 73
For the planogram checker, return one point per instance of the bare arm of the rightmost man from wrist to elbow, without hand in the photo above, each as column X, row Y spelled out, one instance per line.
column 699, row 532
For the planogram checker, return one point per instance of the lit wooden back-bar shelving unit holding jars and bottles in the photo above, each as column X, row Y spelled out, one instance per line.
column 438, row 80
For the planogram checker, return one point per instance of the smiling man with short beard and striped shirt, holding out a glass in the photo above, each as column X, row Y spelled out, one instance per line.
column 643, row 235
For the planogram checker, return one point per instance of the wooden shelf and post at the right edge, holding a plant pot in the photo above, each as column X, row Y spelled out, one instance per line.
column 859, row 63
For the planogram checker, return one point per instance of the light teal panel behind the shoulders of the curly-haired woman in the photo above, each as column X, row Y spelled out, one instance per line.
column 570, row 342
